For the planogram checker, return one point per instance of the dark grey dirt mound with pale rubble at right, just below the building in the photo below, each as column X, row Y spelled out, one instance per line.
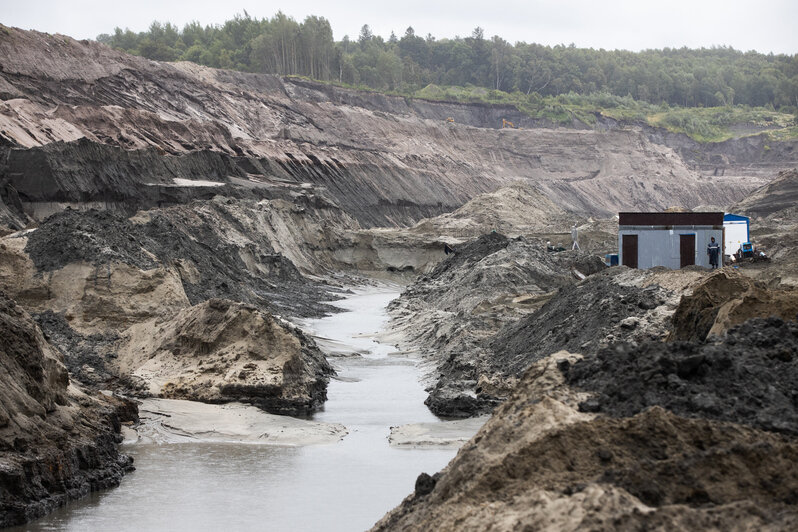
column 581, row 317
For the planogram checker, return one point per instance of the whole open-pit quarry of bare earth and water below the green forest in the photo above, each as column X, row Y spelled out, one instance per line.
column 225, row 304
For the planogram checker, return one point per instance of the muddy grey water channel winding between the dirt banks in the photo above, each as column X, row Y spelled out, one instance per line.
column 343, row 486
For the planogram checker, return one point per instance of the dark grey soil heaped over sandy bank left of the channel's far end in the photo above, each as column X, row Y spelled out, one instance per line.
column 178, row 234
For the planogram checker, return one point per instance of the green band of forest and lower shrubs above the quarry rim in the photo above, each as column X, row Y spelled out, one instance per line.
column 737, row 93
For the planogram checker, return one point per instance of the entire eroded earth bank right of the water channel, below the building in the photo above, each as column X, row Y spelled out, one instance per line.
column 628, row 399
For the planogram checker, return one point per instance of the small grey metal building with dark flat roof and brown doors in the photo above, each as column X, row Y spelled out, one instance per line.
column 670, row 239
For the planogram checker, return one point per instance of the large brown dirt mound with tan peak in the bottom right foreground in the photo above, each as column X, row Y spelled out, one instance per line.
column 536, row 466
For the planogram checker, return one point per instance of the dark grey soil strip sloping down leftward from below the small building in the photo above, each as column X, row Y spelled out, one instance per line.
column 577, row 319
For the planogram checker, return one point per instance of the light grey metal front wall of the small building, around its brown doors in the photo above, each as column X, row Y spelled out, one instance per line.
column 659, row 246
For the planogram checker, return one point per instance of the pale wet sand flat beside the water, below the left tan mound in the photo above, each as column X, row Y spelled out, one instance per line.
column 176, row 421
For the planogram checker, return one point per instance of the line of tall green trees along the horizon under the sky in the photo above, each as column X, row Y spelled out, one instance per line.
column 717, row 76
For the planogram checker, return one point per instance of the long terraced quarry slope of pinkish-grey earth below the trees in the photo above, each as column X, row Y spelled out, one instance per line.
column 83, row 124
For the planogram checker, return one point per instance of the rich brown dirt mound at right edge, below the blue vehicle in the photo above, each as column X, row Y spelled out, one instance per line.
column 728, row 298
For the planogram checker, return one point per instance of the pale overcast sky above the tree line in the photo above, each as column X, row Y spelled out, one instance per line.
column 764, row 25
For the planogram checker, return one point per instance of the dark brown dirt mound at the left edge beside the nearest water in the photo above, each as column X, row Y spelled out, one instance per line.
column 56, row 443
